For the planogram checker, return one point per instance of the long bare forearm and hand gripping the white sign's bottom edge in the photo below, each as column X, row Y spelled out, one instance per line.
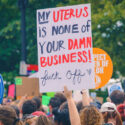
column 74, row 115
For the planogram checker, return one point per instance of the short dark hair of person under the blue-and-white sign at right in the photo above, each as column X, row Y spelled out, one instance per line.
column 117, row 97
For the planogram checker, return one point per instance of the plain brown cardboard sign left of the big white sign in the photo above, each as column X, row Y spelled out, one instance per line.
column 29, row 87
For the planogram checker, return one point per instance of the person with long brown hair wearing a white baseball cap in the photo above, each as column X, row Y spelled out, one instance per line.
column 110, row 114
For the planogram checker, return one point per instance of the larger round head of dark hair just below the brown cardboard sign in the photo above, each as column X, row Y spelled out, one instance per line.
column 29, row 107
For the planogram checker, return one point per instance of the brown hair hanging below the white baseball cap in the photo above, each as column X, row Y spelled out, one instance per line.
column 112, row 115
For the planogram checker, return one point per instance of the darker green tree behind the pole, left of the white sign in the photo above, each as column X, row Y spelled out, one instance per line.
column 10, row 35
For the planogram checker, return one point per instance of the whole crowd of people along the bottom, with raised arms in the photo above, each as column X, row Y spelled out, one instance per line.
column 63, row 110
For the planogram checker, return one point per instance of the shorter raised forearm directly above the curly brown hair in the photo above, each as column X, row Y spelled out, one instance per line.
column 85, row 98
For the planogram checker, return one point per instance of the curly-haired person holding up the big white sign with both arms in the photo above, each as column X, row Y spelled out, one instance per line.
column 88, row 116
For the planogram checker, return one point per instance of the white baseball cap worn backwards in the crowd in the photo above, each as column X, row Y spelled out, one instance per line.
column 108, row 107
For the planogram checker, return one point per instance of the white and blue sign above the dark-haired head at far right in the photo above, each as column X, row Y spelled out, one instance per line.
column 115, row 86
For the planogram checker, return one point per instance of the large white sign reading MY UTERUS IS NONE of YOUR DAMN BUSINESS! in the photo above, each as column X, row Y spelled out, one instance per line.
column 64, row 41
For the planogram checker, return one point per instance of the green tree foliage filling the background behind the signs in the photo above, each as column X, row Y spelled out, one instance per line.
column 108, row 28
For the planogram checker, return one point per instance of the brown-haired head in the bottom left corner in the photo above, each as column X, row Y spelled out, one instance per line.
column 8, row 116
